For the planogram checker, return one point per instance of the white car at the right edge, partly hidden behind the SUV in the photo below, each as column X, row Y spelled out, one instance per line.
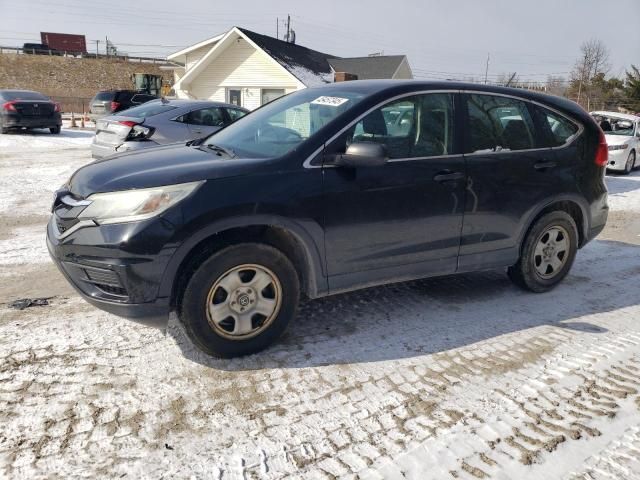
column 622, row 132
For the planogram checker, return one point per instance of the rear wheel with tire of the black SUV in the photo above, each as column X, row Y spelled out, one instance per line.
column 547, row 253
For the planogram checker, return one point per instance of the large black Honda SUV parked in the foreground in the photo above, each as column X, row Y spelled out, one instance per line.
column 332, row 189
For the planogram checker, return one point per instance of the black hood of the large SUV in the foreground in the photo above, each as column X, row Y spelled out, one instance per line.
column 154, row 167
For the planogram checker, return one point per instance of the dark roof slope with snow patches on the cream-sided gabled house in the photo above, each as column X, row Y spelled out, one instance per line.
column 309, row 66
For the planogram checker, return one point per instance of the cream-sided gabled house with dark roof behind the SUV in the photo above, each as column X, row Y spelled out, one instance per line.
column 250, row 69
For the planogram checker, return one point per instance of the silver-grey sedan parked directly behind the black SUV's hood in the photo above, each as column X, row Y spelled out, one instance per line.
column 161, row 122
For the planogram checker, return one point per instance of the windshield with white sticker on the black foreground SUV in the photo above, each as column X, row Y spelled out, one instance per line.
column 280, row 126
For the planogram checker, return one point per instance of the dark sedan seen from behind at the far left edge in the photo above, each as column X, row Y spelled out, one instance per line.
column 27, row 109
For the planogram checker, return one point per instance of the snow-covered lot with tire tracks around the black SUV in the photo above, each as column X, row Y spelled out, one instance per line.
column 457, row 377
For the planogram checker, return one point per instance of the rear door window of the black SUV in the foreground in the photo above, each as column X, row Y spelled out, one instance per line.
column 496, row 123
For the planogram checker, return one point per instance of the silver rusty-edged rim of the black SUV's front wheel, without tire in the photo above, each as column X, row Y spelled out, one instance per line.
column 244, row 301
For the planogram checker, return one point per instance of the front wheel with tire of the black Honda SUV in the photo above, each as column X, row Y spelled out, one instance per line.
column 240, row 300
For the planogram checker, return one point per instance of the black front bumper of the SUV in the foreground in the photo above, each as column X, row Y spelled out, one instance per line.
column 117, row 268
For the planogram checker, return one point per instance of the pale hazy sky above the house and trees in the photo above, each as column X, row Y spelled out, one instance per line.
column 442, row 39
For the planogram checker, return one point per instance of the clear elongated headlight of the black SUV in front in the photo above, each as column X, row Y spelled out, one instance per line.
column 133, row 205
